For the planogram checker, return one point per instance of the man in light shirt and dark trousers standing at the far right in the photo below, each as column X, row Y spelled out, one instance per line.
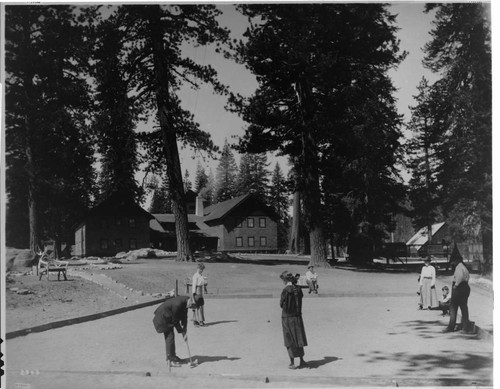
column 460, row 295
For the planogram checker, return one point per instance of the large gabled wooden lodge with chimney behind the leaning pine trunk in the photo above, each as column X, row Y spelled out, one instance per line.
column 241, row 224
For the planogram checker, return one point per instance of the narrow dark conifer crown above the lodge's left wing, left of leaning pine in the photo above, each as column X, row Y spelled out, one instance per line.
column 116, row 115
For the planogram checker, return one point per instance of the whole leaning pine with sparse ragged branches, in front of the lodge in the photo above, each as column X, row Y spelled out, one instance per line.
column 157, row 67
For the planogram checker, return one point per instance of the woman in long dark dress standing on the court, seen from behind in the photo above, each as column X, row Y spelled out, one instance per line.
column 294, row 334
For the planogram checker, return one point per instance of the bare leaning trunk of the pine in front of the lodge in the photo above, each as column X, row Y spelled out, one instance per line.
column 171, row 151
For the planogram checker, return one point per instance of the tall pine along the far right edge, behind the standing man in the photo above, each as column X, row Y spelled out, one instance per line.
column 460, row 53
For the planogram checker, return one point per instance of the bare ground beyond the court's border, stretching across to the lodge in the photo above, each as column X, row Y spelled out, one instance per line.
column 31, row 302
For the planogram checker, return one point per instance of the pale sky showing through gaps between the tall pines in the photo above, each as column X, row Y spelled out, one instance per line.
column 208, row 108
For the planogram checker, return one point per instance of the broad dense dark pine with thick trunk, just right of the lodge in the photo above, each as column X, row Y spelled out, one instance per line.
column 315, row 63
